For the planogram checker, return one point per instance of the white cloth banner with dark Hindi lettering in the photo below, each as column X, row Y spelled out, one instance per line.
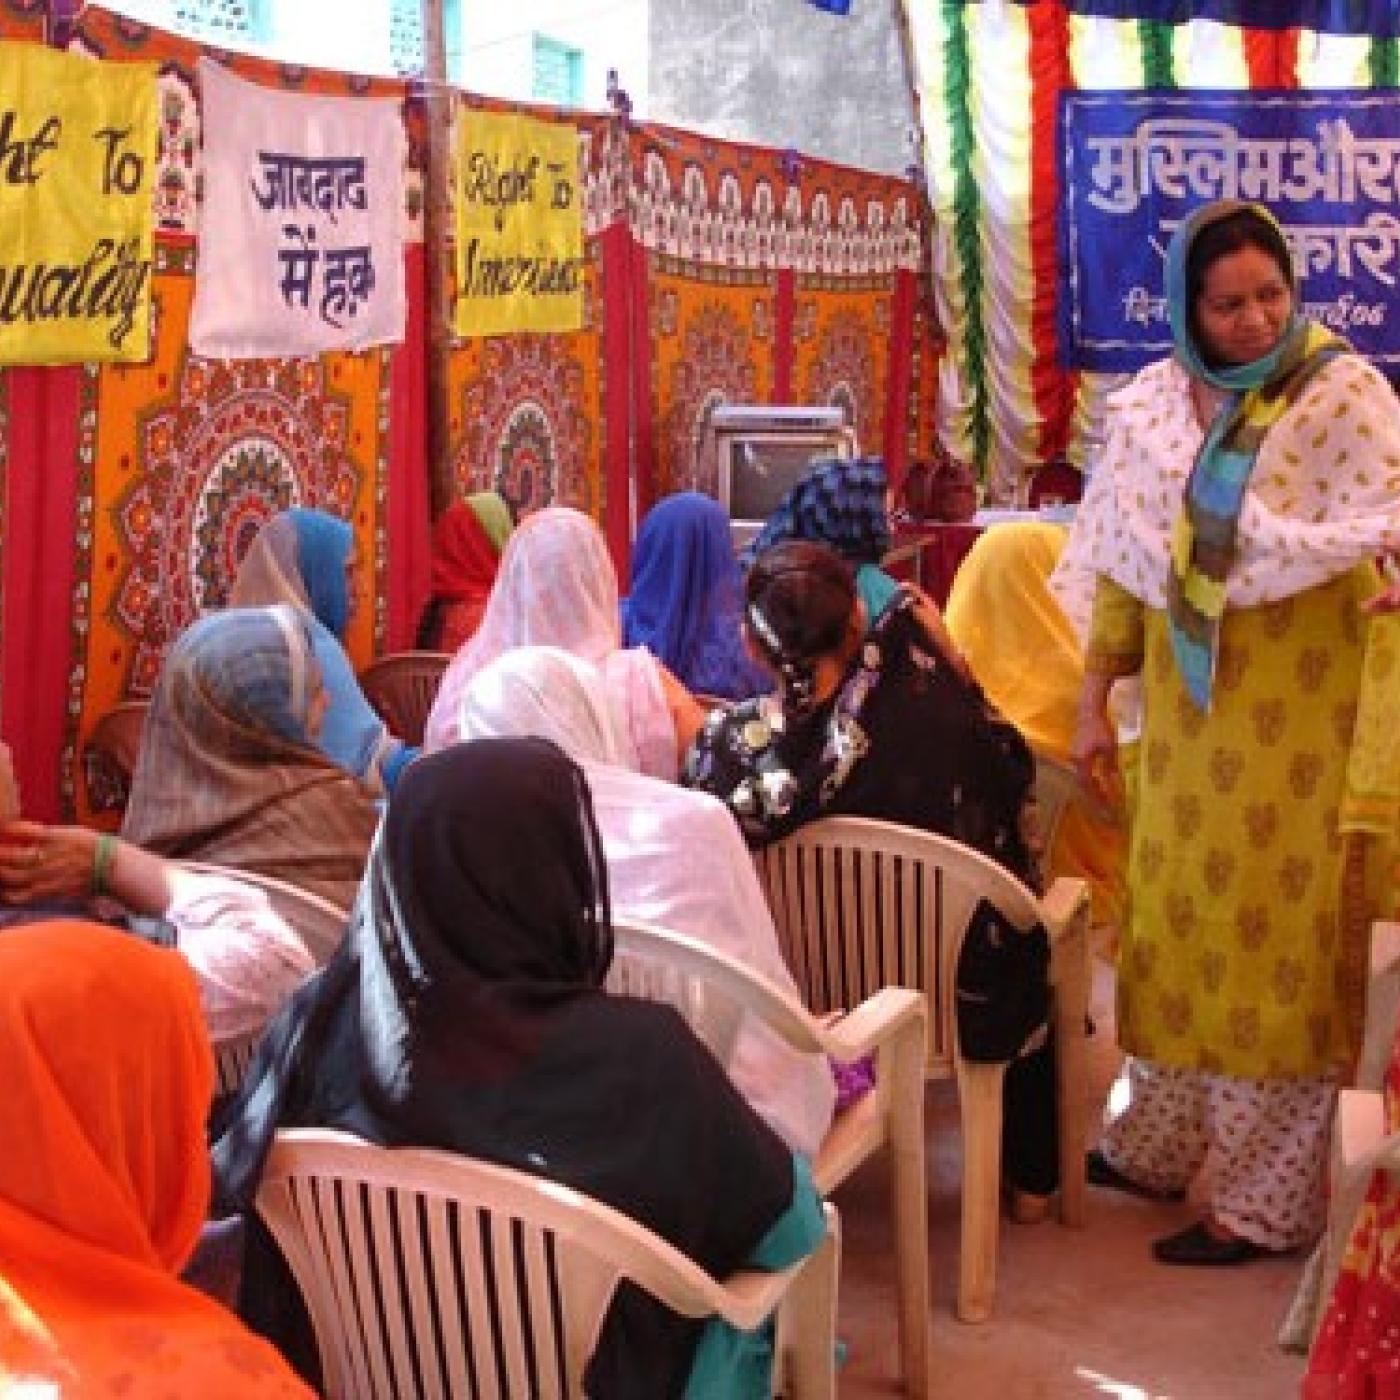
column 300, row 246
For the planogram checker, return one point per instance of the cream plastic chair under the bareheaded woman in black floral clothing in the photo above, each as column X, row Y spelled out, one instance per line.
column 863, row 905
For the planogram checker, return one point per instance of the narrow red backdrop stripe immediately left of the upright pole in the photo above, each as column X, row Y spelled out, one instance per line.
column 408, row 509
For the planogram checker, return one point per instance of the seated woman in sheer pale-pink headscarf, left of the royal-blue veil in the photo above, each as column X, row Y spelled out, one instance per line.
column 558, row 589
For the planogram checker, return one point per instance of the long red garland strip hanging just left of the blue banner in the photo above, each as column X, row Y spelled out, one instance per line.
column 1052, row 387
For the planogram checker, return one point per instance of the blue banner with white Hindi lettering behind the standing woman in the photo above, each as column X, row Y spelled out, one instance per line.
column 1133, row 164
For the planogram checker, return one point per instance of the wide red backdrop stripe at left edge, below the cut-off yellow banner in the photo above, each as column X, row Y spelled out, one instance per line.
column 41, row 519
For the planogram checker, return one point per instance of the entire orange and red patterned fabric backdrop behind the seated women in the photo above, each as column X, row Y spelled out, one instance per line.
column 713, row 272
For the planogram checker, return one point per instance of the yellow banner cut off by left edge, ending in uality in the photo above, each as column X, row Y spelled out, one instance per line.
column 78, row 150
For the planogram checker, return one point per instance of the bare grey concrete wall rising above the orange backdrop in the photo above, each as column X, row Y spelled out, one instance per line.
column 785, row 73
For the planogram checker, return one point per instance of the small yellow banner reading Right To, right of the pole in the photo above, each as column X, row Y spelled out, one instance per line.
column 520, row 226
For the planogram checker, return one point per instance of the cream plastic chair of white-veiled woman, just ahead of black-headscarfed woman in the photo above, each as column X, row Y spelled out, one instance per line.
column 715, row 992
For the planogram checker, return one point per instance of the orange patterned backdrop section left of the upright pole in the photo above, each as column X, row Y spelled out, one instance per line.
column 159, row 475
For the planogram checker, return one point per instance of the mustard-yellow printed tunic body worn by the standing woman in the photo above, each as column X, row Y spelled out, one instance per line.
column 1240, row 930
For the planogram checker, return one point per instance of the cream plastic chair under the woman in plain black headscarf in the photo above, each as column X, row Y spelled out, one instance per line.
column 423, row 1269
